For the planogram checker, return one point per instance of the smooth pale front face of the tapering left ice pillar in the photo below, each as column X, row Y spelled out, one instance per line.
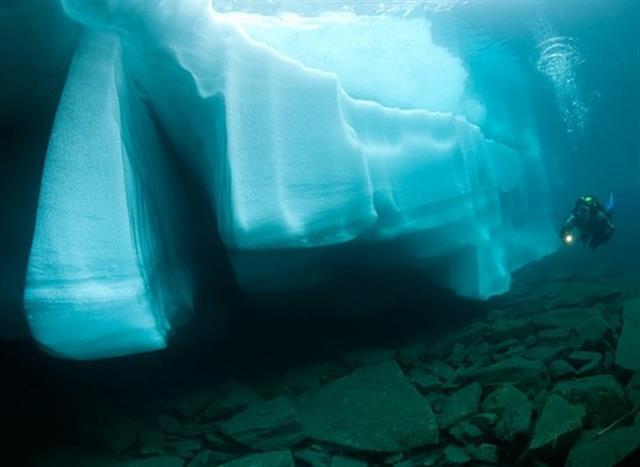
column 85, row 294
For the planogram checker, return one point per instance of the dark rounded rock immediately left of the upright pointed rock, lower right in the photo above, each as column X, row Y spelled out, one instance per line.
column 514, row 412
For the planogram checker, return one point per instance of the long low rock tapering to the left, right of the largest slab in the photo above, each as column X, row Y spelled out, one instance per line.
column 523, row 373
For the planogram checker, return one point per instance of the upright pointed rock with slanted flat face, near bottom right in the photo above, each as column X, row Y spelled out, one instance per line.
column 559, row 425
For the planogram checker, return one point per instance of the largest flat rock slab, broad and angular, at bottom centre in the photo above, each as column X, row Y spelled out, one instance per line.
column 374, row 409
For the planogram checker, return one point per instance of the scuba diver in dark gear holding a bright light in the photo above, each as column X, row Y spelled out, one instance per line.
column 592, row 219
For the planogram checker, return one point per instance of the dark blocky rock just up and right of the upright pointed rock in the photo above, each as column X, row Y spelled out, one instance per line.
column 601, row 395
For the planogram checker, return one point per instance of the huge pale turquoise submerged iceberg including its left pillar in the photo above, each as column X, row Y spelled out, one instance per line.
column 163, row 95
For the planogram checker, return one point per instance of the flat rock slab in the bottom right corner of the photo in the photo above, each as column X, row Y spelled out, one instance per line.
column 606, row 451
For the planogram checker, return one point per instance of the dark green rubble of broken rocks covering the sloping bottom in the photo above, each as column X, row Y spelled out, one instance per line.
column 558, row 386
